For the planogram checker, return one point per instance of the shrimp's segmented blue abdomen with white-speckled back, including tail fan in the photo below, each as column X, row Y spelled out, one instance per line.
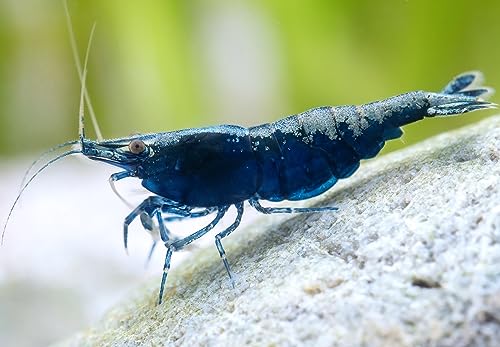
column 303, row 155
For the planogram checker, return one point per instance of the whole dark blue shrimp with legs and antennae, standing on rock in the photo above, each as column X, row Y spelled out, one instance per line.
column 203, row 171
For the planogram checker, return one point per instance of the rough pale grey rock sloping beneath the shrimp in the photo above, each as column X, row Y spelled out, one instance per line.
column 412, row 258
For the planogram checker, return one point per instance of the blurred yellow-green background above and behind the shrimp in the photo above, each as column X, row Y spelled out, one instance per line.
column 163, row 65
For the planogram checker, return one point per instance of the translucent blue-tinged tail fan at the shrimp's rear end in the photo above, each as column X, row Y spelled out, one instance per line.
column 463, row 94
